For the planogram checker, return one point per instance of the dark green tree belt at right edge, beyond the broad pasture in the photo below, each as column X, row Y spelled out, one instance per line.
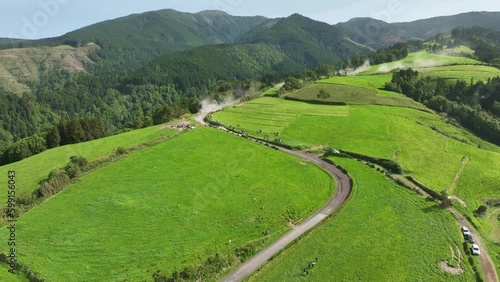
column 475, row 106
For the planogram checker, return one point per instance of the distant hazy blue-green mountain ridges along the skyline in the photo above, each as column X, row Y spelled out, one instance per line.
column 161, row 32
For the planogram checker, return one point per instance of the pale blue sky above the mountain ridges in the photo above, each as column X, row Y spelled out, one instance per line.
column 47, row 18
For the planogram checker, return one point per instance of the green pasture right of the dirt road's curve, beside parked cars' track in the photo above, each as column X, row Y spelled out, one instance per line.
column 384, row 233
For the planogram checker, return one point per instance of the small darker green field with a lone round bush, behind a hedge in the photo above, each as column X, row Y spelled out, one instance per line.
column 351, row 95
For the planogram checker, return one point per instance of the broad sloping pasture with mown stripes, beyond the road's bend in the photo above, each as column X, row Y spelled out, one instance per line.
column 401, row 134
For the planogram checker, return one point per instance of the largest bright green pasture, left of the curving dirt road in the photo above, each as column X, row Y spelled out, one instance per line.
column 173, row 205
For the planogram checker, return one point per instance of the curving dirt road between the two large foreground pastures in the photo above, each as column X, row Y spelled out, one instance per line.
column 342, row 193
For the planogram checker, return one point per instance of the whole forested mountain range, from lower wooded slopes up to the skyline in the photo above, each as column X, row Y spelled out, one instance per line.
column 172, row 57
